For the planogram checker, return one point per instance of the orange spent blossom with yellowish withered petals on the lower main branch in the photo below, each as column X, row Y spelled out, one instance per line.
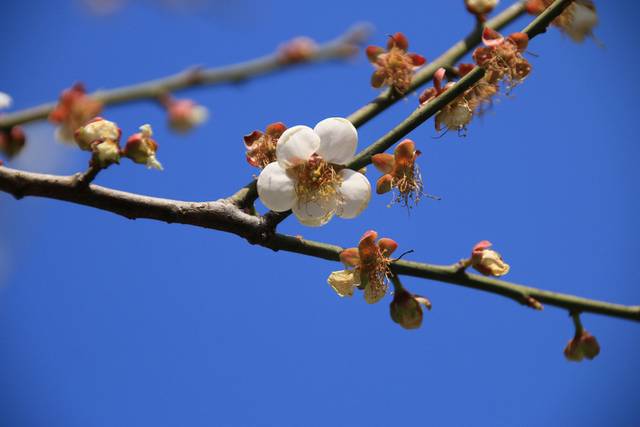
column 370, row 268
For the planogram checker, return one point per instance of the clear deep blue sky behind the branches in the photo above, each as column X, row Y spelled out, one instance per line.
column 111, row 322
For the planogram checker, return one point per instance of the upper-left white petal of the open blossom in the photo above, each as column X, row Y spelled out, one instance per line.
column 296, row 145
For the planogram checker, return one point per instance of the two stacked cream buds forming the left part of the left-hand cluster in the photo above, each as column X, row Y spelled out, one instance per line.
column 102, row 138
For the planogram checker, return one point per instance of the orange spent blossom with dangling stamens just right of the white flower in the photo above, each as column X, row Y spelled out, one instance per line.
column 400, row 173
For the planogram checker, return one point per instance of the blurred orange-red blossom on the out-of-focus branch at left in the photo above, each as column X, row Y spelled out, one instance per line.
column 74, row 109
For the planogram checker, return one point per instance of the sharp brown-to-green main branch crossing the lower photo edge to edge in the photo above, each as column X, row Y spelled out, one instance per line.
column 224, row 215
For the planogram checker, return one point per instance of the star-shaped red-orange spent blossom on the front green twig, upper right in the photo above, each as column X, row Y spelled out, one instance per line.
column 502, row 58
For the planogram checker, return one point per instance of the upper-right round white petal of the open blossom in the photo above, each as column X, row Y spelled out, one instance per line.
column 338, row 140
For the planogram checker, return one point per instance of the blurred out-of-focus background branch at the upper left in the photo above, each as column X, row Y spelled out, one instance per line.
column 341, row 47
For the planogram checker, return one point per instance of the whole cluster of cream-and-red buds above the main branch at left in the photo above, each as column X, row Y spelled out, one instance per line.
column 102, row 138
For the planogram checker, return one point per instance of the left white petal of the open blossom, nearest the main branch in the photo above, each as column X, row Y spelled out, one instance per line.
column 275, row 188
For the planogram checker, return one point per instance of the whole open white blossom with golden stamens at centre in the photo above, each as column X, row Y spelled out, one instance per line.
column 309, row 174
